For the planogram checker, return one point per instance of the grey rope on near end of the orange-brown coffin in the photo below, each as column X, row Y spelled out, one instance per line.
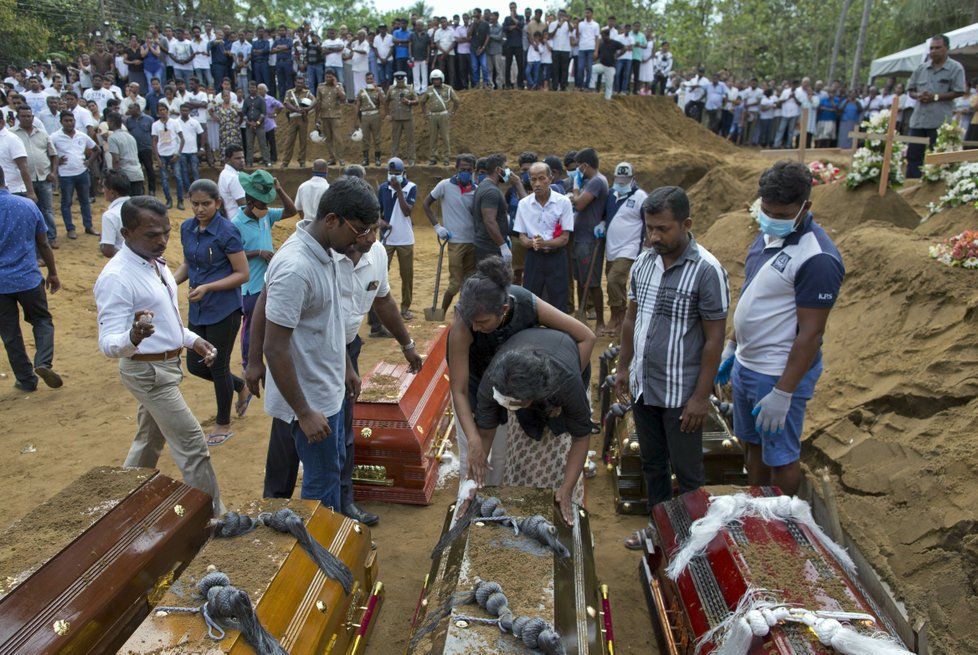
column 229, row 608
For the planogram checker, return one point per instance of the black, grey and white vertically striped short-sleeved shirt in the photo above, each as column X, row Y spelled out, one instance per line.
column 669, row 337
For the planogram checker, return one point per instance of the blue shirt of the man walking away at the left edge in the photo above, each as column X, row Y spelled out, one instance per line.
column 20, row 223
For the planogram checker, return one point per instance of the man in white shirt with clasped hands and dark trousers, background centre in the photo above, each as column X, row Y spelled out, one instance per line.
column 544, row 221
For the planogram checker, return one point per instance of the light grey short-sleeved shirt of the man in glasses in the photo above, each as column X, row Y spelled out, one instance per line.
column 303, row 293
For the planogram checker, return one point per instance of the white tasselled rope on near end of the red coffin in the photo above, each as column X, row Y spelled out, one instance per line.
column 757, row 613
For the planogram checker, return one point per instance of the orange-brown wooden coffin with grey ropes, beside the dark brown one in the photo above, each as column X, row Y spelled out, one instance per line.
column 298, row 605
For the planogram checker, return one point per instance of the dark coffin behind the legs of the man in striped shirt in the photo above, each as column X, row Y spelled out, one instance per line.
column 723, row 458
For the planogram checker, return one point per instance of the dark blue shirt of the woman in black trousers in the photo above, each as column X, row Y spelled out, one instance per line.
column 206, row 254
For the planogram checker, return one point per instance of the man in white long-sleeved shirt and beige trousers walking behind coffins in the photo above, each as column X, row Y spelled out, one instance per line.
column 139, row 323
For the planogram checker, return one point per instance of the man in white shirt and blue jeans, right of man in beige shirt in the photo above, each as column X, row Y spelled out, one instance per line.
column 75, row 151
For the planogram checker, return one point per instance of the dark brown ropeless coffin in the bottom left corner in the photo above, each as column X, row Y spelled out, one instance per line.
column 79, row 573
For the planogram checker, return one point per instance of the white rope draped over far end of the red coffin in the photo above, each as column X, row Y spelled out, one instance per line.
column 726, row 510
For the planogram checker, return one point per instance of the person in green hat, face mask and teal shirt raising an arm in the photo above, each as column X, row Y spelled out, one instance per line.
column 254, row 221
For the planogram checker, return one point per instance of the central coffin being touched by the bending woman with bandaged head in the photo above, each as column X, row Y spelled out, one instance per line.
column 564, row 592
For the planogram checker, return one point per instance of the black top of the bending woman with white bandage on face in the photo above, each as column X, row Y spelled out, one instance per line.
column 570, row 395
